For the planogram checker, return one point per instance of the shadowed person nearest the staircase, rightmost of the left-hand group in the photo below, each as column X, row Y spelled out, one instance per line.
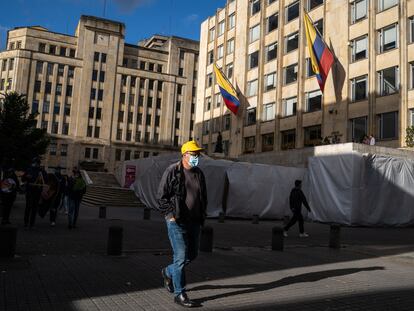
column 76, row 190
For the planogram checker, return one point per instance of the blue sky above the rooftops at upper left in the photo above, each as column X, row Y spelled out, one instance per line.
column 141, row 17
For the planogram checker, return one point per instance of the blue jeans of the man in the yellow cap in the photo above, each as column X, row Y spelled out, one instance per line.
column 184, row 239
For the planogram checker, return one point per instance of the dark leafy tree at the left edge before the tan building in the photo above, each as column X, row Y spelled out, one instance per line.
column 20, row 140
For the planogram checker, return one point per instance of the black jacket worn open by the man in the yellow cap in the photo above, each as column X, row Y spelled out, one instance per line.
column 172, row 193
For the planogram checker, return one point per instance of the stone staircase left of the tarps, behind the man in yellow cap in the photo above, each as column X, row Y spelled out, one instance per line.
column 104, row 189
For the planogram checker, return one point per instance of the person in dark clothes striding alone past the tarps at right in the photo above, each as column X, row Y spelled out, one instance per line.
column 296, row 199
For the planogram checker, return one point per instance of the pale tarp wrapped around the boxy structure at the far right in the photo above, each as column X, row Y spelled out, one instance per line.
column 362, row 190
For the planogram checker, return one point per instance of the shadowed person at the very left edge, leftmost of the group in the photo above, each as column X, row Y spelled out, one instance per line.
column 9, row 184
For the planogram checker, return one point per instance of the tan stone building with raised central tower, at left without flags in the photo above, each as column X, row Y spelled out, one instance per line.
column 103, row 100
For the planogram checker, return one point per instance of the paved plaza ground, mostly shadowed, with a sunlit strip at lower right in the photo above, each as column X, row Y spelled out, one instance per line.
column 61, row 269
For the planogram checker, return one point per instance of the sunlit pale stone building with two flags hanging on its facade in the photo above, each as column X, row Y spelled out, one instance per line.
column 261, row 47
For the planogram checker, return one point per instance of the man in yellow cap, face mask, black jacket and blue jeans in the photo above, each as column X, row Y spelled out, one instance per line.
column 182, row 198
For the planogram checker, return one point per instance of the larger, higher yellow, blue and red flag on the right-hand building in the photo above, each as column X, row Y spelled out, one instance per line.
column 320, row 55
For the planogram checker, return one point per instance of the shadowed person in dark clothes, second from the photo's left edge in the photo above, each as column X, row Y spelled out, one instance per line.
column 34, row 177
